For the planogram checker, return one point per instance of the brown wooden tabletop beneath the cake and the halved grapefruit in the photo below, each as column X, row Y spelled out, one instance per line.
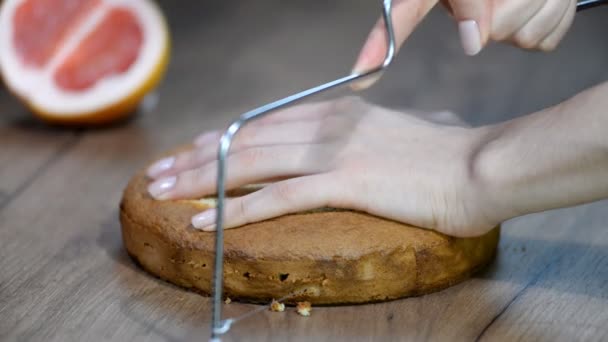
column 65, row 275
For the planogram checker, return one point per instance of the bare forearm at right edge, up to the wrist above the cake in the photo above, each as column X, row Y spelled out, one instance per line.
column 554, row 158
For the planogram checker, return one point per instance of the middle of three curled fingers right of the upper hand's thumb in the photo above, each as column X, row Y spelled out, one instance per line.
column 541, row 24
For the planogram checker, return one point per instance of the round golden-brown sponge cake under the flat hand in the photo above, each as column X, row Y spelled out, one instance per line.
column 325, row 256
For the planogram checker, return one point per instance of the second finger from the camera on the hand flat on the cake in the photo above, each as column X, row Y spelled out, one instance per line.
column 249, row 166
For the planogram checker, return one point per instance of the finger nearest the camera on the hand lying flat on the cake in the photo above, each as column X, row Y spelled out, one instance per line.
column 282, row 198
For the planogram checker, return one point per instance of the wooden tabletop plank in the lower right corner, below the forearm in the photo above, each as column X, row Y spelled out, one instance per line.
column 567, row 298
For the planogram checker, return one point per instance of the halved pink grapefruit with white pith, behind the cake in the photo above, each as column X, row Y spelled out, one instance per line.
column 82, row 61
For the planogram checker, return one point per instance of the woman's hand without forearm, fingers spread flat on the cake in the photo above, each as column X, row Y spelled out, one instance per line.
column 343, row 154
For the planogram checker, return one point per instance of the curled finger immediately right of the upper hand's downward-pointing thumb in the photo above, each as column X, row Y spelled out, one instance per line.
column 509, row 16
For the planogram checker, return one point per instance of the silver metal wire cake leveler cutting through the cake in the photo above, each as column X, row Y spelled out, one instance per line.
column 220, row 326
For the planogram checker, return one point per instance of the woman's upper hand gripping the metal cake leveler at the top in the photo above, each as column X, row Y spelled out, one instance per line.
column 528, row 24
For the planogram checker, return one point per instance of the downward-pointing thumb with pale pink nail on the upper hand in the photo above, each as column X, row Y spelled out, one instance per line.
column 473, row 18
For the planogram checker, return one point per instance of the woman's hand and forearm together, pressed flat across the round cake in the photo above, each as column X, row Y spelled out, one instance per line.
column 404, row 166
